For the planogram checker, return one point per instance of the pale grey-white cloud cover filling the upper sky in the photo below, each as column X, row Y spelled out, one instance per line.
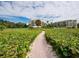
column 44, row 10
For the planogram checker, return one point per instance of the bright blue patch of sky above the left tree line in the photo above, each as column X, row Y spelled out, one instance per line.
column 15, row 19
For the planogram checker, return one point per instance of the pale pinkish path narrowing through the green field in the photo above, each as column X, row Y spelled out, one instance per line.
column 40, row 48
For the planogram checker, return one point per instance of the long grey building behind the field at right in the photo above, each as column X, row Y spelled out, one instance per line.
column 66, row 23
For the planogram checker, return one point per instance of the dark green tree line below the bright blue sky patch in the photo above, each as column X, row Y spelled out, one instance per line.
column 9, row 24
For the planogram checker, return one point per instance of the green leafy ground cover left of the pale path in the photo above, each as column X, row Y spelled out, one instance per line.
column 14, row 43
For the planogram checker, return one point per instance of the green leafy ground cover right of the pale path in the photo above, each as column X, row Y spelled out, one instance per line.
column 64, row 41
